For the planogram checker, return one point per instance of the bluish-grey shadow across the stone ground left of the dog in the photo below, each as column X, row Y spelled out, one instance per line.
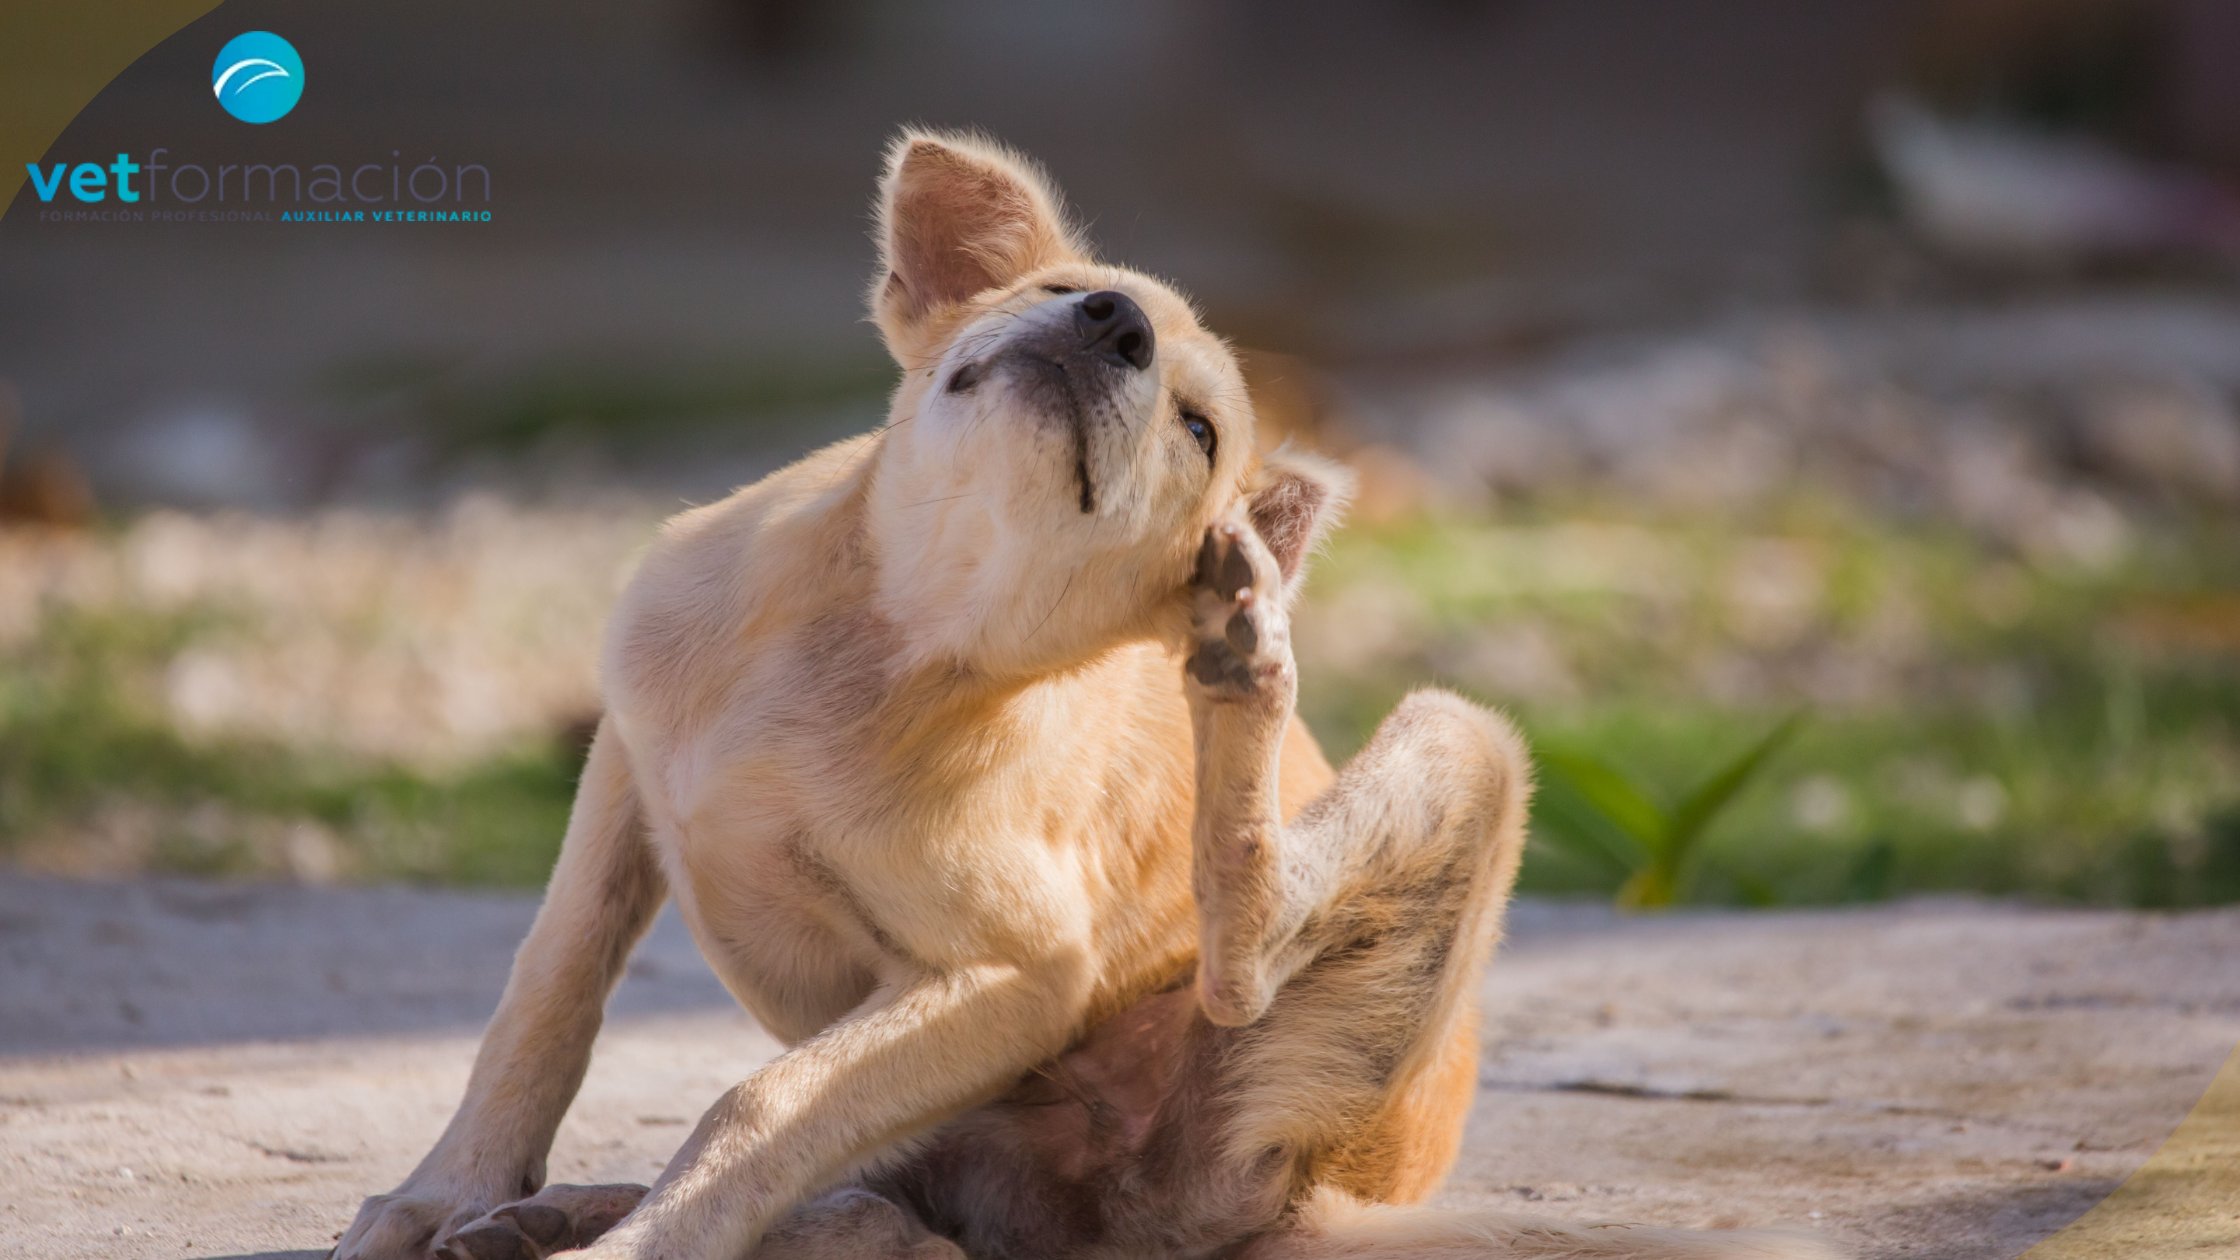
column 102, row 967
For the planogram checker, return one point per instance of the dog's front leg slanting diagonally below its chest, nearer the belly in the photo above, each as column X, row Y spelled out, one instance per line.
column 922, row 1050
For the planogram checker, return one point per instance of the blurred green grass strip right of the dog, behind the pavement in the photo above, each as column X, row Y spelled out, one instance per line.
column 1979, row 723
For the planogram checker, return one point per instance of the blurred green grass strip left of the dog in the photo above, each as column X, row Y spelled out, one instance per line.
column 86, row 750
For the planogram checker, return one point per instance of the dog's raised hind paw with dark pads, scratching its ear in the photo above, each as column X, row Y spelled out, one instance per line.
column 1238, row 615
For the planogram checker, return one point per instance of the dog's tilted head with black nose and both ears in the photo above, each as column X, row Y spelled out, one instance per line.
column 1065, row 429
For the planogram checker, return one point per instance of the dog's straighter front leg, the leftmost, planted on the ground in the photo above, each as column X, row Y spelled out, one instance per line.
column 604, row 896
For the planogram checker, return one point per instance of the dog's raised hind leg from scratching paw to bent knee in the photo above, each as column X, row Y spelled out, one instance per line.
column 1419, row 840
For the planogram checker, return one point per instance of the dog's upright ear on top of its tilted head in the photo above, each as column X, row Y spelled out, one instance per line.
column 958, row 216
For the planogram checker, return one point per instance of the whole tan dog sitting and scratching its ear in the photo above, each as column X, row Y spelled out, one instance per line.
column 969, row 754
